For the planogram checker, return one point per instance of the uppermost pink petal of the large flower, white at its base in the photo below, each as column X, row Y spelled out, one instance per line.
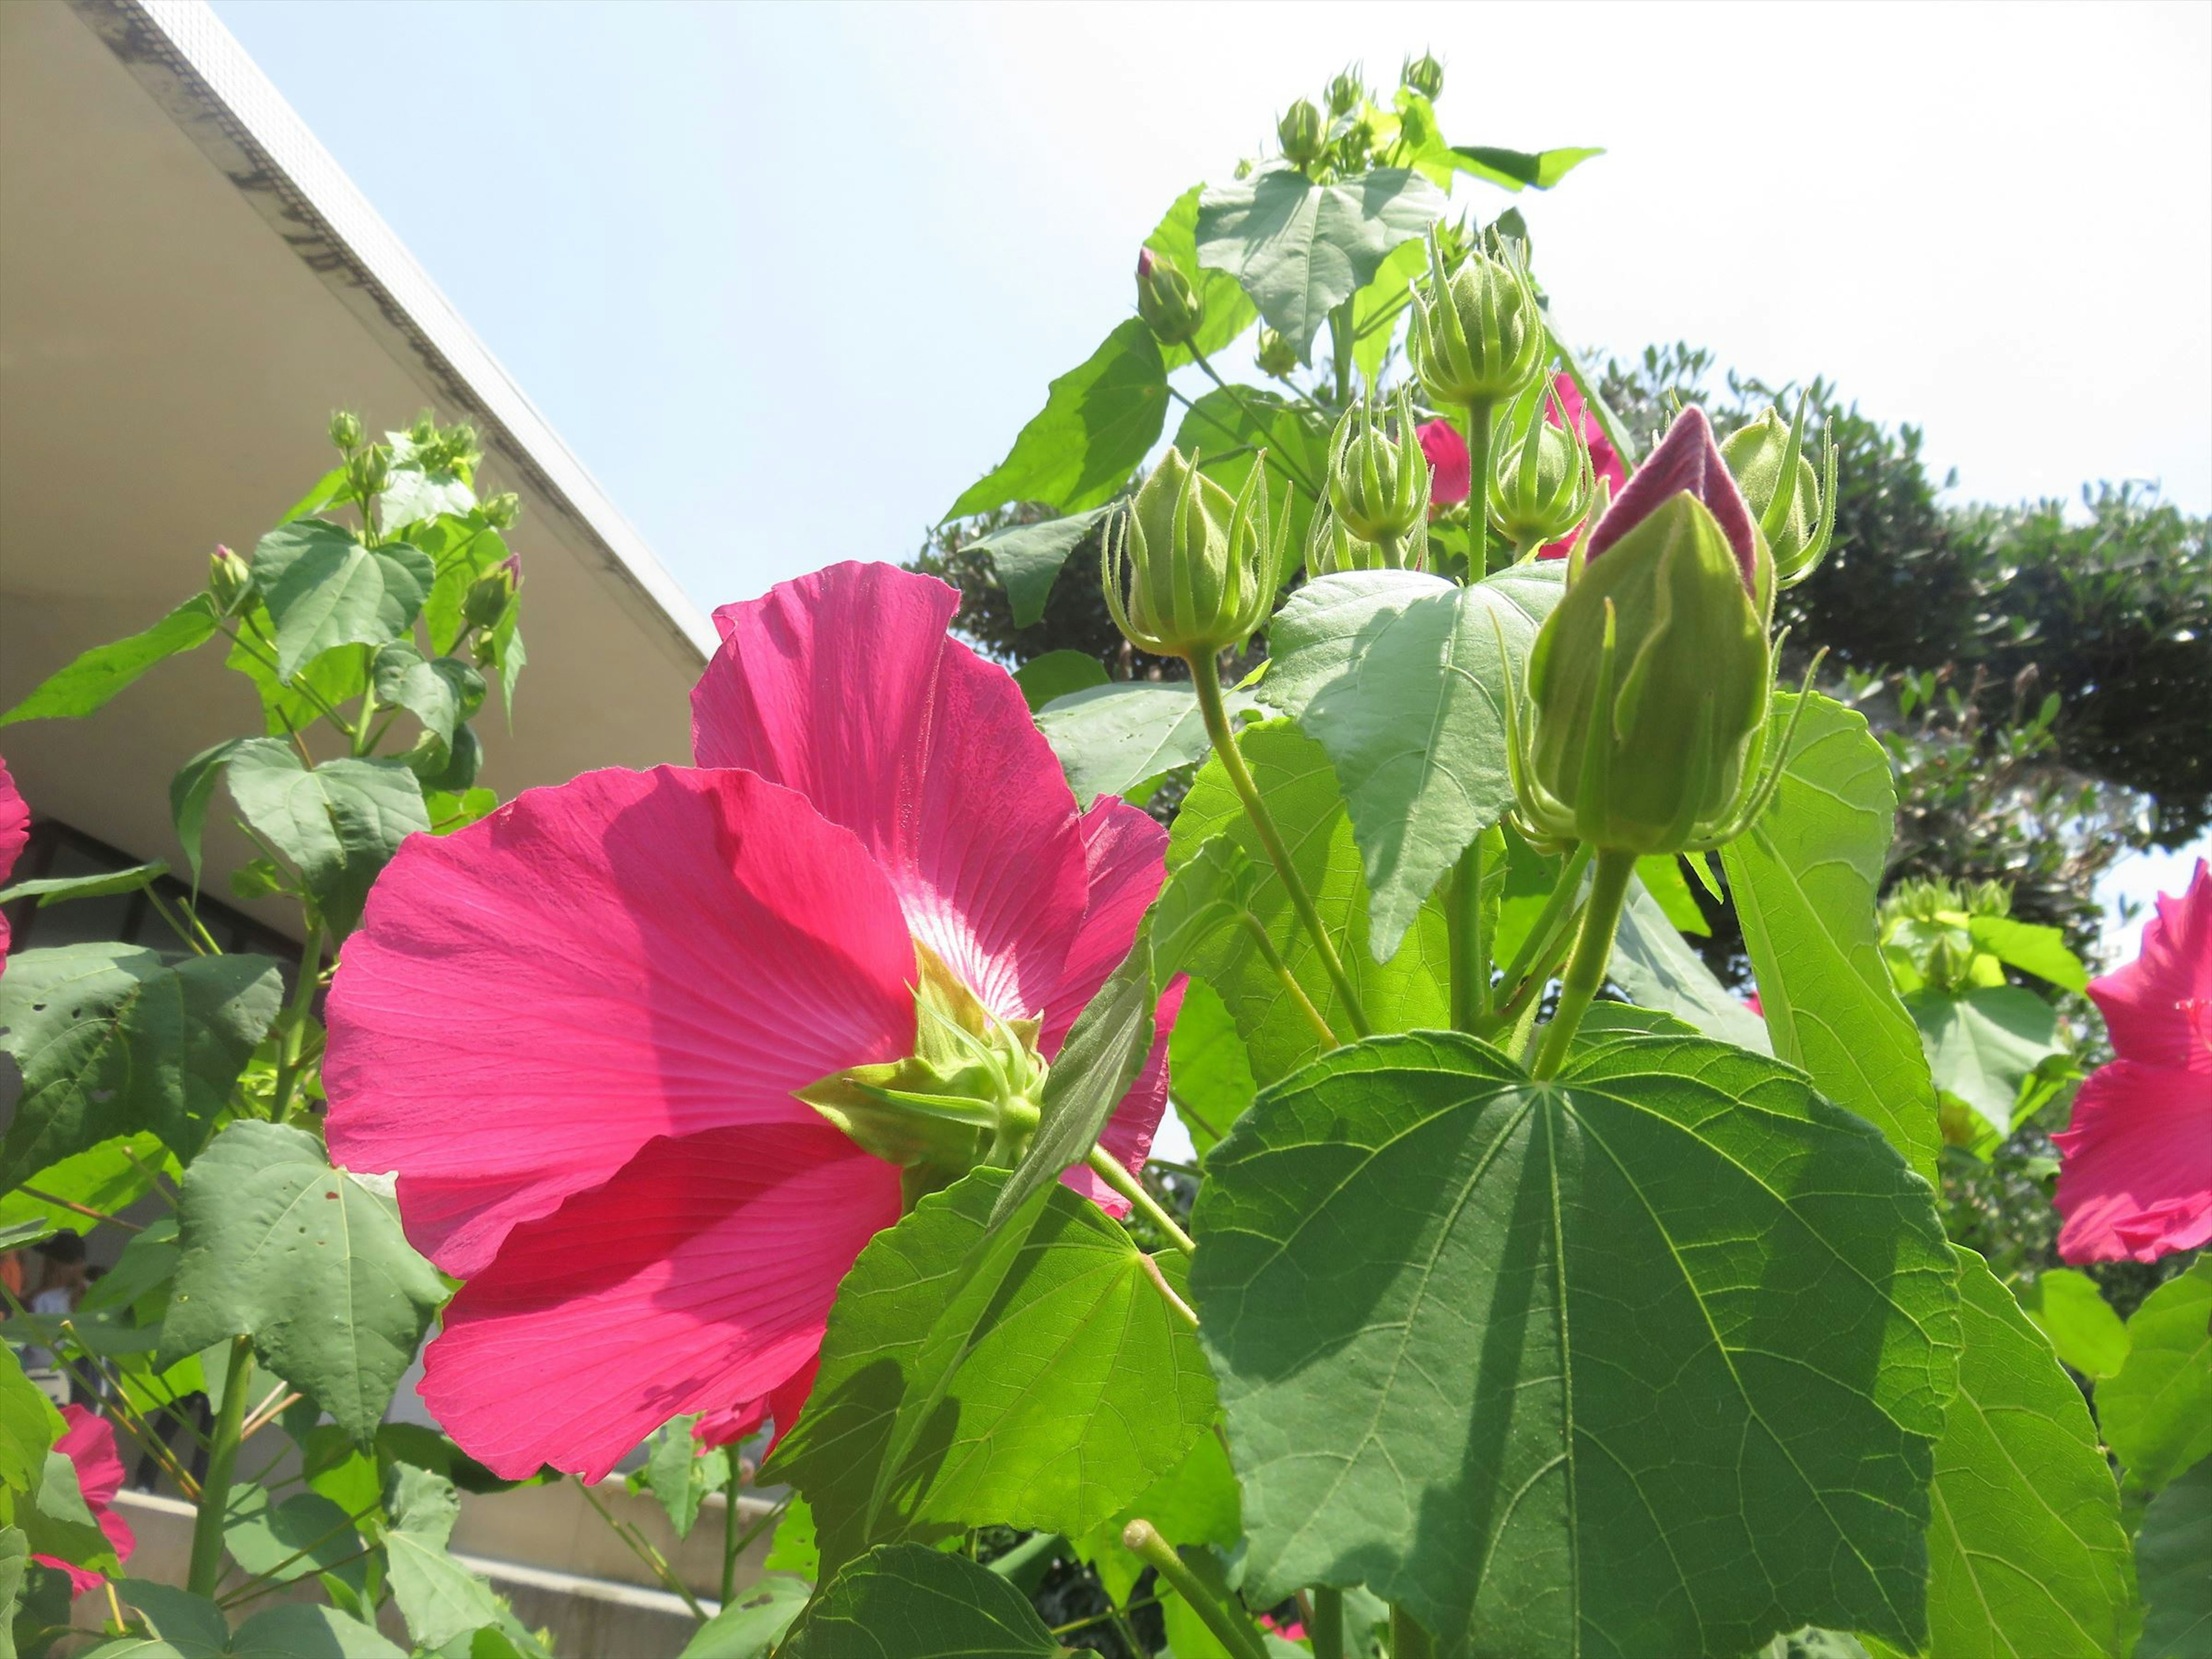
column 846, row 687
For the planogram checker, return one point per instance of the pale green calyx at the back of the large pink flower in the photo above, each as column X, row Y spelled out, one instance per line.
column 970, row 1094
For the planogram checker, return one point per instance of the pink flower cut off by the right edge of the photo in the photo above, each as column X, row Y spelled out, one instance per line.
column 2136, row 1162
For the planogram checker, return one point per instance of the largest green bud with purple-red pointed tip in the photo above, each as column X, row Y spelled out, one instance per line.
column 1651, row 678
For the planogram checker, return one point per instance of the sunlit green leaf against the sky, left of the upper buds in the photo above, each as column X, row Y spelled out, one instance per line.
column 1096, row 428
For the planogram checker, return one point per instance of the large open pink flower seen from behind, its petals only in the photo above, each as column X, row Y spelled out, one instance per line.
column 574, row 1030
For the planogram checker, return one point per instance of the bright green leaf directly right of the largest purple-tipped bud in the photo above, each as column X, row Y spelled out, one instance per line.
column 1806, row 879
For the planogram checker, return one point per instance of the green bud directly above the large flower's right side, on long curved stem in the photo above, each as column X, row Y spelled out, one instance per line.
column 1189, row 570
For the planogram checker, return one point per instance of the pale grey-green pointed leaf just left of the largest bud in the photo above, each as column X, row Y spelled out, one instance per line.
column 1404, row 680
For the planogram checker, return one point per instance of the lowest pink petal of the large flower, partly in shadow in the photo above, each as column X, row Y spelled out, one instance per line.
column 698, row 1280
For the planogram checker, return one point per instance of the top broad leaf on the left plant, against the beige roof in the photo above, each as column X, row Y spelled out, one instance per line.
column 326, row 589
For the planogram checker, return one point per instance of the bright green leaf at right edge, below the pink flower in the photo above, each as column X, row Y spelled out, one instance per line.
column 2158, row 1412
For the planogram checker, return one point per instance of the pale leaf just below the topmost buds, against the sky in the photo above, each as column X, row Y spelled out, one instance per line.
column 1302, row 249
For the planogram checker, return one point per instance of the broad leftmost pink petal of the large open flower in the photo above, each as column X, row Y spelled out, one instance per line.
column 634, row 954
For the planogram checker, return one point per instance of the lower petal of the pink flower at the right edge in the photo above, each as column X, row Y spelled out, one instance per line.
column 2136, row 1165
